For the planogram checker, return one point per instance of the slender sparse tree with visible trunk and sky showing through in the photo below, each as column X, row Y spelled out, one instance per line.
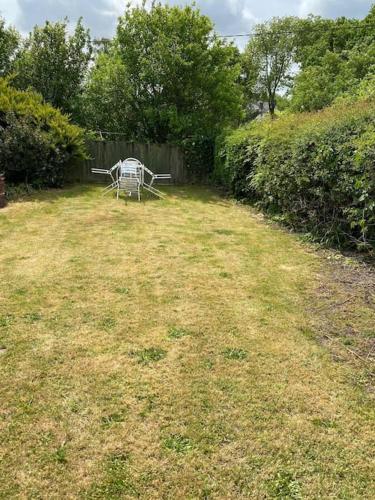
column 268, row 60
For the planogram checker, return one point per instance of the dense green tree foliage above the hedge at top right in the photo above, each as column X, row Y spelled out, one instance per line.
column 334, row 57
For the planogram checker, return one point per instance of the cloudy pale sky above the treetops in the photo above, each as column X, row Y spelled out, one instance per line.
column 230, row 16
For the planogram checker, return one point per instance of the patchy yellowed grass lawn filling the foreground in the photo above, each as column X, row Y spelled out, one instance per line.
column 164, row 350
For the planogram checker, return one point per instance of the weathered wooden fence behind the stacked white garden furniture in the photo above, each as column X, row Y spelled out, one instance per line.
column 160, row 158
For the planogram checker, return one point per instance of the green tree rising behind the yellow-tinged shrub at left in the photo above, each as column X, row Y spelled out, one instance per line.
column 54, row 63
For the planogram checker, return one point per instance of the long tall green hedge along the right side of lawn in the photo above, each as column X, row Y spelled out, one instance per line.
column 315, row 171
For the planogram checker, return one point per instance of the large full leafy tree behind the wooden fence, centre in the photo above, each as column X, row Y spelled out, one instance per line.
column 182, row 78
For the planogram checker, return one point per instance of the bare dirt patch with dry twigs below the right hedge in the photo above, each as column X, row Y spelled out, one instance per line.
column 343, row 312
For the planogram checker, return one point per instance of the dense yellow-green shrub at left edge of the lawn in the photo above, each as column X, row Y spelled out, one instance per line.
column 37, row 142
